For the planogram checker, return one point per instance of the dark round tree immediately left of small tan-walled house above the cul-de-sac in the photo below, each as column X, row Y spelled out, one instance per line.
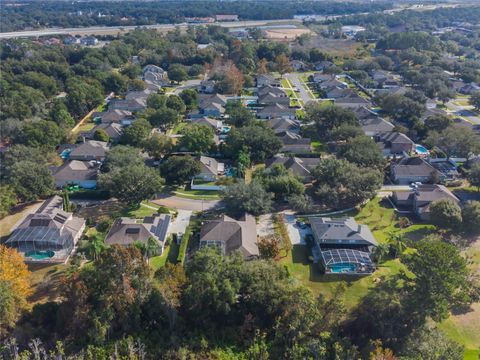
column 179, row 169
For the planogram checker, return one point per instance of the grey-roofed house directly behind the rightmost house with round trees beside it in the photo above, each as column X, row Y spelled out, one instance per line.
column 415, row 169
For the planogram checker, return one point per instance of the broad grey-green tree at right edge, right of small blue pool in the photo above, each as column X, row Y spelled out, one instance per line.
column 455, row 140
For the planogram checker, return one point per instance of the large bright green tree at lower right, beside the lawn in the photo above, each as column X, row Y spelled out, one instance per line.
column 436, row 288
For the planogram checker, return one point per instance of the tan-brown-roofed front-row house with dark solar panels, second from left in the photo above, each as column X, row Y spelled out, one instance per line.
column 127, row 231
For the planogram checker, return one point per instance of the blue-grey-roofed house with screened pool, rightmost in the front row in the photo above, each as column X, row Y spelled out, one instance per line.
column 344, row 246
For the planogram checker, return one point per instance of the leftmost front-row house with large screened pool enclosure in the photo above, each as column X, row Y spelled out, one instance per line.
column 49, row 235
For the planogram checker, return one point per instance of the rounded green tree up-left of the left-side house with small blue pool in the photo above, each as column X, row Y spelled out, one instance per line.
column 41, row 133
